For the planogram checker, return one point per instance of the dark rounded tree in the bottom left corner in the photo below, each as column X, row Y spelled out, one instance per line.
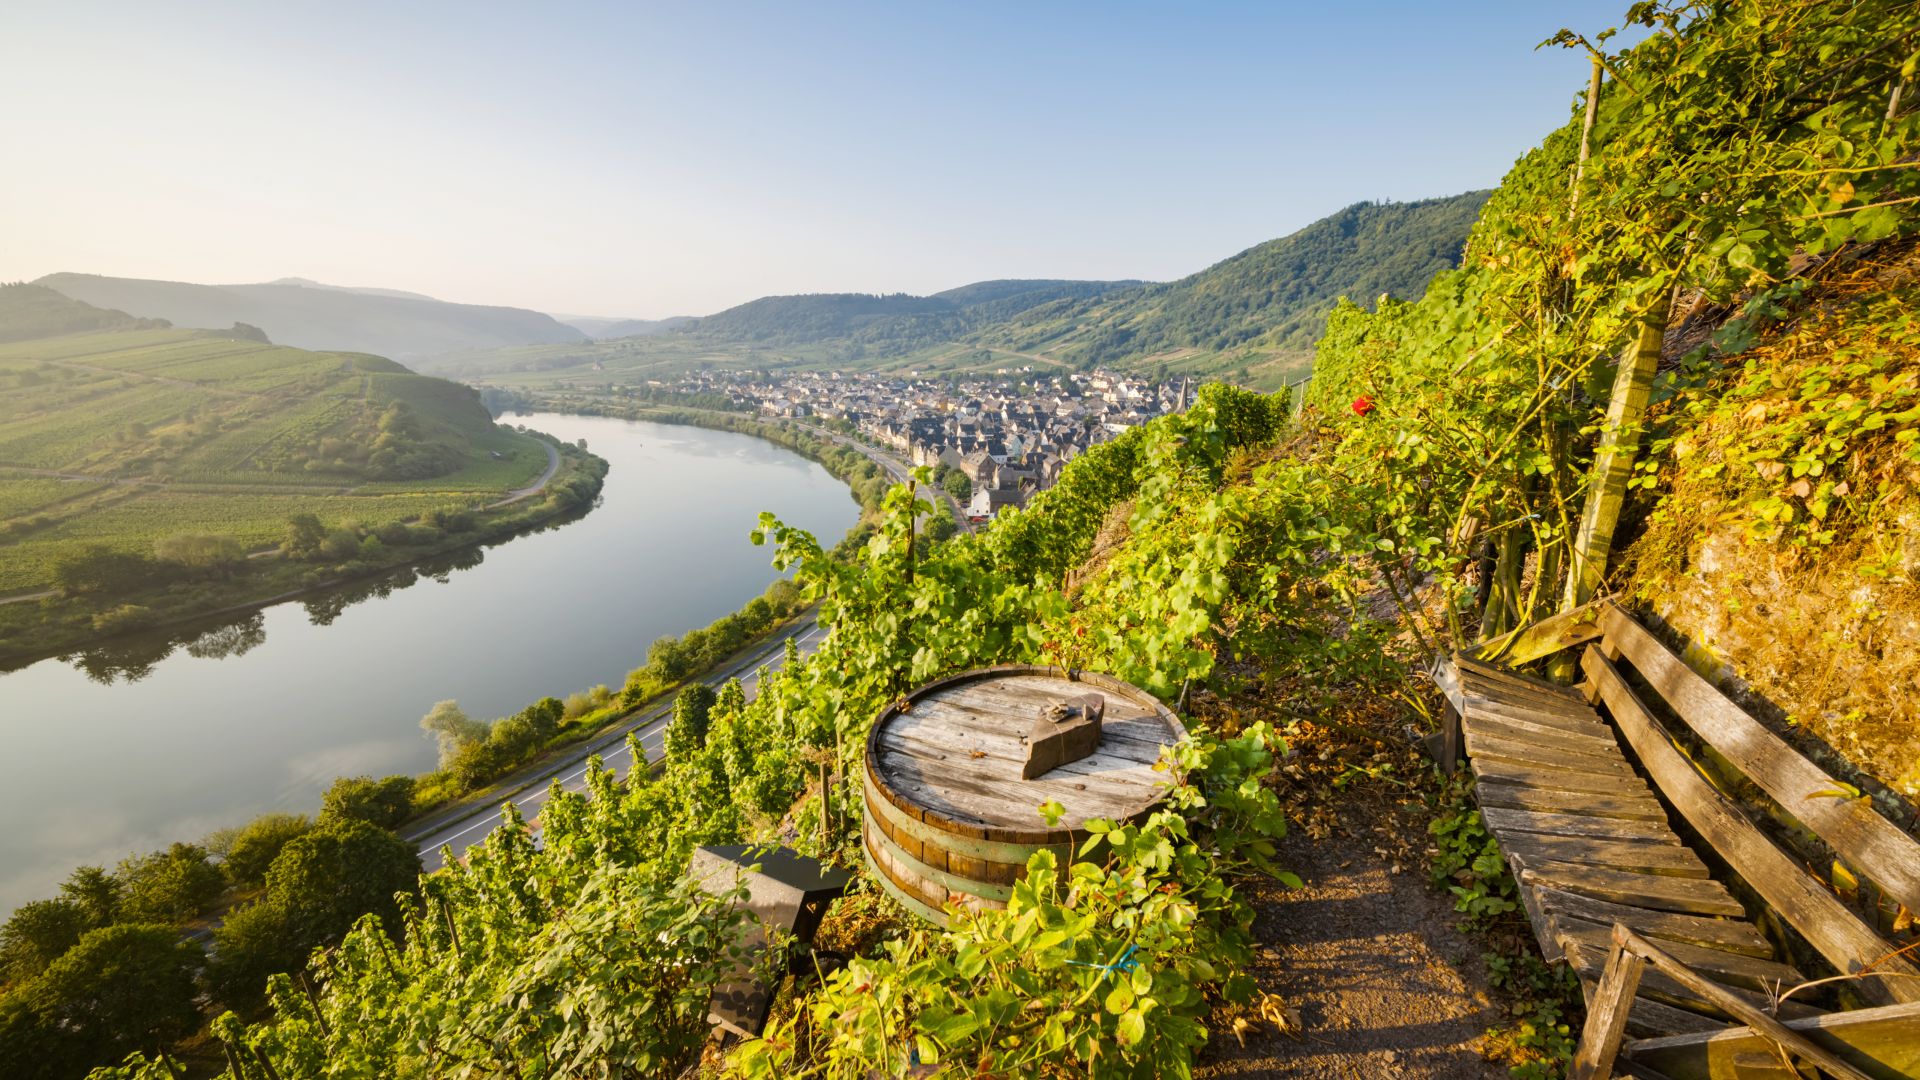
column 118, row 991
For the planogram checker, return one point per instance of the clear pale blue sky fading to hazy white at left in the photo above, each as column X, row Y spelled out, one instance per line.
column 658, row 160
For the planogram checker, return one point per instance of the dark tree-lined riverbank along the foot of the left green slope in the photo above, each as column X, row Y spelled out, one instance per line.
column 59, row 624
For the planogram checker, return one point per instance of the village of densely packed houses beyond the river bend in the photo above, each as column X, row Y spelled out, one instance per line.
column 1009, row 435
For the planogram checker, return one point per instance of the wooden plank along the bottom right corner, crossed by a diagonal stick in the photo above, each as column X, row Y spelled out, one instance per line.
column 1883, row 1043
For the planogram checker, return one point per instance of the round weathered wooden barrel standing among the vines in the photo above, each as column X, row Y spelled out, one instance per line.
column 948, row 816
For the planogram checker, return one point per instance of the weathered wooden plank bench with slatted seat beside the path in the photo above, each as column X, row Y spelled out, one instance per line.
column 1589, row 831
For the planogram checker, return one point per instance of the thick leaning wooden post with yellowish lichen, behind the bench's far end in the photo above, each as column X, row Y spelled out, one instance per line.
column 1614, row 462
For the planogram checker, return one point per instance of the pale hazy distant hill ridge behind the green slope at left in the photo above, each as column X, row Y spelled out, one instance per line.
column 322, row 318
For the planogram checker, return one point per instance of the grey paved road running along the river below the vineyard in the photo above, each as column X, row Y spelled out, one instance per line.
column 471, row 827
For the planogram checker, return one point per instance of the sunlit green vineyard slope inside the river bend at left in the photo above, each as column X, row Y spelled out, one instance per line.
column 126, row 437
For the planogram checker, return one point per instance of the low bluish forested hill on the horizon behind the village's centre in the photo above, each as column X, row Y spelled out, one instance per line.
column 896, row 322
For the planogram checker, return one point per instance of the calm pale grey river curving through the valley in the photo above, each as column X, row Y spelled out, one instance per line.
column 172, row 737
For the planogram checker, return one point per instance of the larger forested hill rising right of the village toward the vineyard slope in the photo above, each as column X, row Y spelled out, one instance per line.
column 1272, row 299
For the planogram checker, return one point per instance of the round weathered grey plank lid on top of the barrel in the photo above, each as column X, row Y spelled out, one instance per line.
column 951, row 754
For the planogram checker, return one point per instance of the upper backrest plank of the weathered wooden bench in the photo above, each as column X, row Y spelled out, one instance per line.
column 1852, row 827
